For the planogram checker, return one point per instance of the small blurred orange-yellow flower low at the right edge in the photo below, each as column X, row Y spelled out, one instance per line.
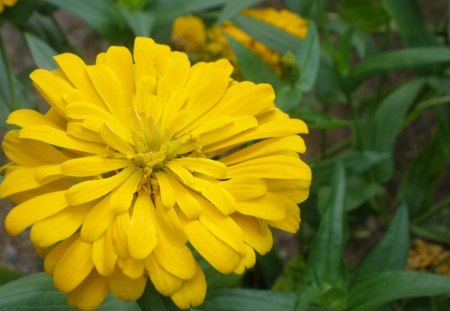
column 425, row 256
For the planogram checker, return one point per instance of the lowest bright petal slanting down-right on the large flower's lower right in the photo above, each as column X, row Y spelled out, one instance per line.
column 221, row 256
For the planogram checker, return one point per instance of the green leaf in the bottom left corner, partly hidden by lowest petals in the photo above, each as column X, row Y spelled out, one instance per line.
column 37, row 292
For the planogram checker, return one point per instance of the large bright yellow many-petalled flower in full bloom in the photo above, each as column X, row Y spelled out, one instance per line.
column 143, row 158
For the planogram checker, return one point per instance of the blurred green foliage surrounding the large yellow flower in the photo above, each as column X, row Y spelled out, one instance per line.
column 372, row 80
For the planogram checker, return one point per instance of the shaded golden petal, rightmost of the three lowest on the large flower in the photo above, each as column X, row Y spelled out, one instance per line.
column 193, row 291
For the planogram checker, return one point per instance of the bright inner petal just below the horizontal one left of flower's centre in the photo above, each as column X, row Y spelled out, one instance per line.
column 93, row 189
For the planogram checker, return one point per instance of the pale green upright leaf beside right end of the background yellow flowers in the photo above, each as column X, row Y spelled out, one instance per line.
column 308, row 56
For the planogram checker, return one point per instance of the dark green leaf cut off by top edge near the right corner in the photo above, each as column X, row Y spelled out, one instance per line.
column 410, row 22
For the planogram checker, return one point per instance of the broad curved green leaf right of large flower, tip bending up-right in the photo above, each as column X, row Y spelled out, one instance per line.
column 379, row 133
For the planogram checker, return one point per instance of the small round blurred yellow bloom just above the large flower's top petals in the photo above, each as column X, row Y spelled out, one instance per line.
column 188, row 34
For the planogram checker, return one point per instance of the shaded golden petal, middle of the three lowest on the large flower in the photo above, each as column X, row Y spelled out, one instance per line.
column 126, row 288
